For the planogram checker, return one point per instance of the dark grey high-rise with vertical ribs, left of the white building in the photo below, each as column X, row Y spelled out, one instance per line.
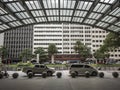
column 18, row 40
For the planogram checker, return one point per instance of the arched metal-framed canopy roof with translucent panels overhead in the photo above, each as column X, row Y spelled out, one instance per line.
column 104, row 14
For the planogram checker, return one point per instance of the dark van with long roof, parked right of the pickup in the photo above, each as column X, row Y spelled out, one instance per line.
column 80, row 69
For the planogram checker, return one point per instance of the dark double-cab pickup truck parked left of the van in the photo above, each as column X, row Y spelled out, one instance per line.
column 39, row 69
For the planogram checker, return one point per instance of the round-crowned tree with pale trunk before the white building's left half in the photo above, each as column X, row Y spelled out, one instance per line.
column 52, row 49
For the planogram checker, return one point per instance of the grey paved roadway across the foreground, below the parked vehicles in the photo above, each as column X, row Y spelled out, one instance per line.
column 64, row 83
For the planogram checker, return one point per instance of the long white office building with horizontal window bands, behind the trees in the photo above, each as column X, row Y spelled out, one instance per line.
column 66, row 35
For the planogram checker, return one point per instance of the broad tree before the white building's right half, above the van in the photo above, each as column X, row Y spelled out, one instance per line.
column 82, row 50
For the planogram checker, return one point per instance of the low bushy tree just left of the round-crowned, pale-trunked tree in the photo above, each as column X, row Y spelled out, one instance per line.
column 42, row 54
